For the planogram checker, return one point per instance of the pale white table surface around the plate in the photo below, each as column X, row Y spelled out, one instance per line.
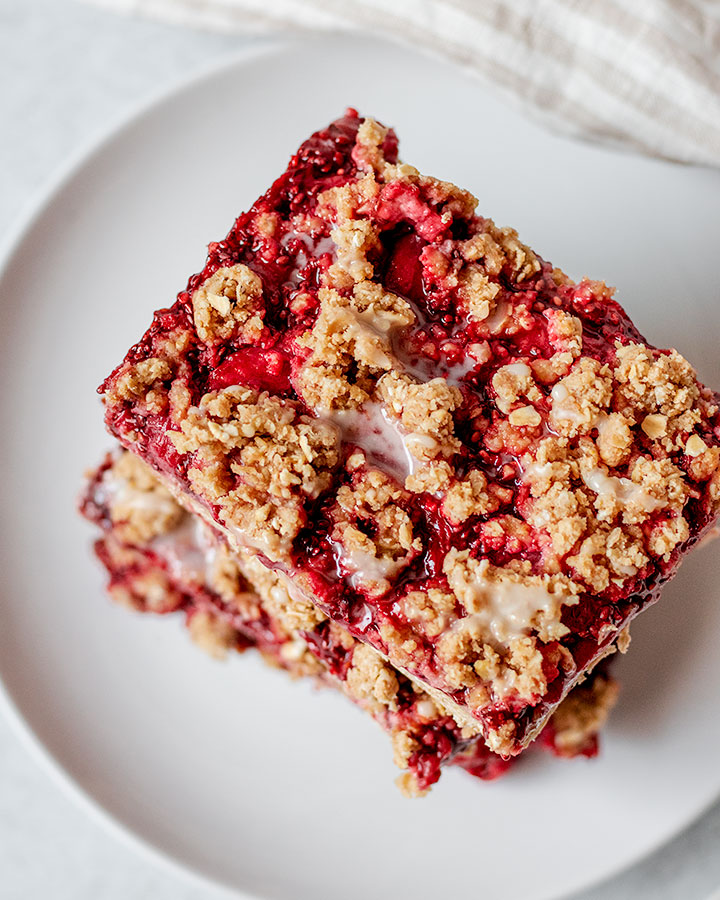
column 67, row 72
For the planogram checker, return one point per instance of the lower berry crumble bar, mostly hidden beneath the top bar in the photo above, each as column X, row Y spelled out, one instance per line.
column 159, row 559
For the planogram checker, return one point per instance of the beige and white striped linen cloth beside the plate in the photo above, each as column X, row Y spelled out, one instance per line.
column 643, row 74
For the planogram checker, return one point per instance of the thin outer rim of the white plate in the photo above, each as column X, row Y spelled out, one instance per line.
column 35, row 206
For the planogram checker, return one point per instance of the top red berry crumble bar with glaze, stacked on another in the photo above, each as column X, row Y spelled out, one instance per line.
column 442, row 449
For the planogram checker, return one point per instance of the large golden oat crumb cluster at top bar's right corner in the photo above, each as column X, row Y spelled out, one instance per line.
column 595, row 519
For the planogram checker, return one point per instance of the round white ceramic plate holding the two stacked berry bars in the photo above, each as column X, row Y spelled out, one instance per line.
column 234, row 772
